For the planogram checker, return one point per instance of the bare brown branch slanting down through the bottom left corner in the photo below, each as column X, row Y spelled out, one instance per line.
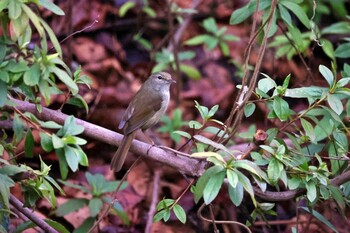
column 29, row 213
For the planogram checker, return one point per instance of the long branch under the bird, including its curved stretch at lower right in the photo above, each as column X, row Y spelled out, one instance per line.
column 186, row 165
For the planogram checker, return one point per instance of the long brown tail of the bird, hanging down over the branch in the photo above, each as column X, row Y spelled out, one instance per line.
column 119, row 156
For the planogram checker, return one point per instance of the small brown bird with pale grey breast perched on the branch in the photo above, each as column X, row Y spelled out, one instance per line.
column 144, row 111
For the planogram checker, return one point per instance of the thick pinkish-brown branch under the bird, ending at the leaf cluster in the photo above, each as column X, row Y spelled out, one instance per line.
column 184, row 164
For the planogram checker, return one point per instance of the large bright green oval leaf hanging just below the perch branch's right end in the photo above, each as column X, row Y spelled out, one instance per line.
column 213, row 186
